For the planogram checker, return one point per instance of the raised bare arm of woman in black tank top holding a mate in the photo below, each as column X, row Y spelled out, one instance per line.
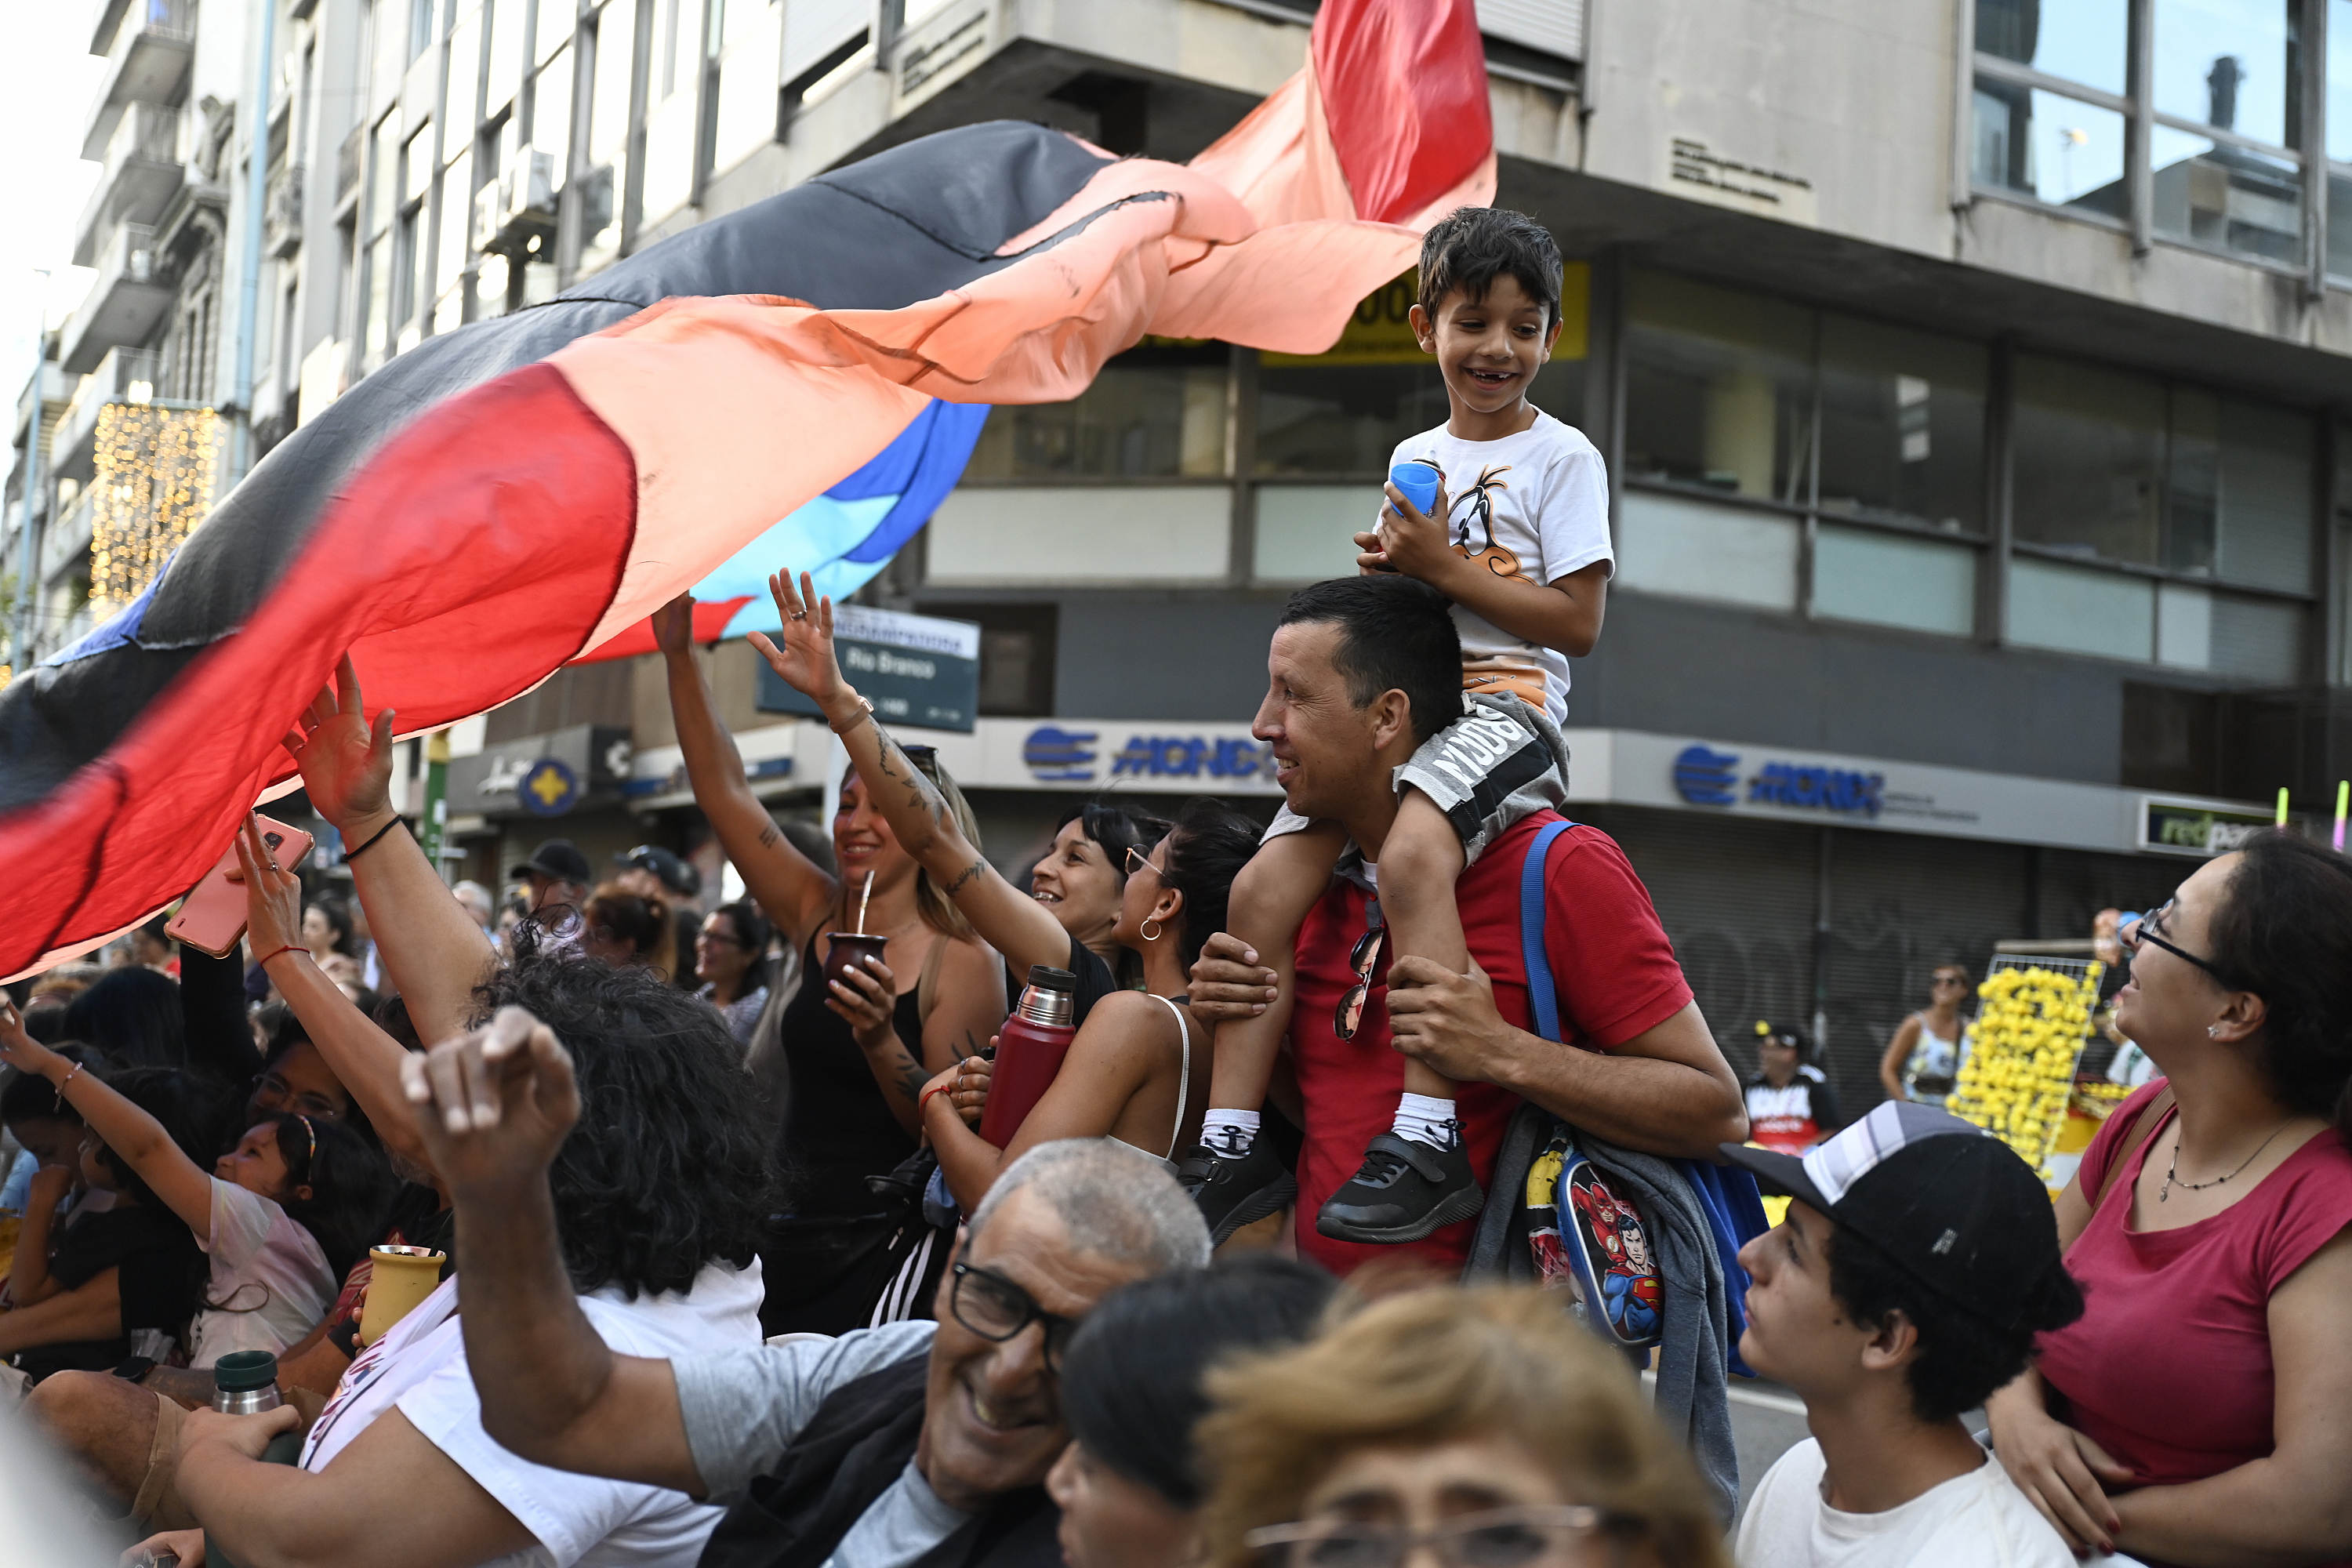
column 794, row 890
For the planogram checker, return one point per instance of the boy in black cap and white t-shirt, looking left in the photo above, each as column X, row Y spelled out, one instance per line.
column 1916, row 1266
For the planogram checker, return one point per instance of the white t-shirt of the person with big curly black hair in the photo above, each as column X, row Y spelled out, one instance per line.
column 420, row 1369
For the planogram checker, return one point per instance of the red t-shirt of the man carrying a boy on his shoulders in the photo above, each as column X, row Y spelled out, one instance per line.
column 1612, row 970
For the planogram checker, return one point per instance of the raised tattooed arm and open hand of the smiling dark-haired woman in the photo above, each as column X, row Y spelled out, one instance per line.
column 1008, row 920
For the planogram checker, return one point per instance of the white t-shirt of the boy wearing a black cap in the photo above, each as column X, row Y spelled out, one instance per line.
column 1979, row 1520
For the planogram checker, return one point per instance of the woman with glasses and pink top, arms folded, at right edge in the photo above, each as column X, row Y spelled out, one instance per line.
column 2196, row 1414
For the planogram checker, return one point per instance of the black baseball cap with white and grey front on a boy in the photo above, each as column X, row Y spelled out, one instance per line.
column 1949, row 1202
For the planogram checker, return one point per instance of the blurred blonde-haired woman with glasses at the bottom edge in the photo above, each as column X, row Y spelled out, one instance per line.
column 1481, row 1423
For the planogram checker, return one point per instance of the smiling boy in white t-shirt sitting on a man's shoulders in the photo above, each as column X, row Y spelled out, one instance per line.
column 1518, row 537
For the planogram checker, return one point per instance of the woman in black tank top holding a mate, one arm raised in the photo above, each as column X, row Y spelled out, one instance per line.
column 857, row 1047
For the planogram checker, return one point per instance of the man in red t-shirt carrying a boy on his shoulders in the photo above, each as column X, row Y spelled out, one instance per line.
column 1638, row 1068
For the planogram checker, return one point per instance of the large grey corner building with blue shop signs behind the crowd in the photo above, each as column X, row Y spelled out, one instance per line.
column 1972, row 380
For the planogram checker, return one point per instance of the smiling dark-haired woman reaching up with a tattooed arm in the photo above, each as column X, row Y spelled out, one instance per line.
column 1071, row 913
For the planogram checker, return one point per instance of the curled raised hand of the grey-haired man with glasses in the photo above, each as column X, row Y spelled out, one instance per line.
column 495, row 1104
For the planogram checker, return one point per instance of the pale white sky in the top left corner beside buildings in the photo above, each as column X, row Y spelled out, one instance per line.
column 48, row 79
